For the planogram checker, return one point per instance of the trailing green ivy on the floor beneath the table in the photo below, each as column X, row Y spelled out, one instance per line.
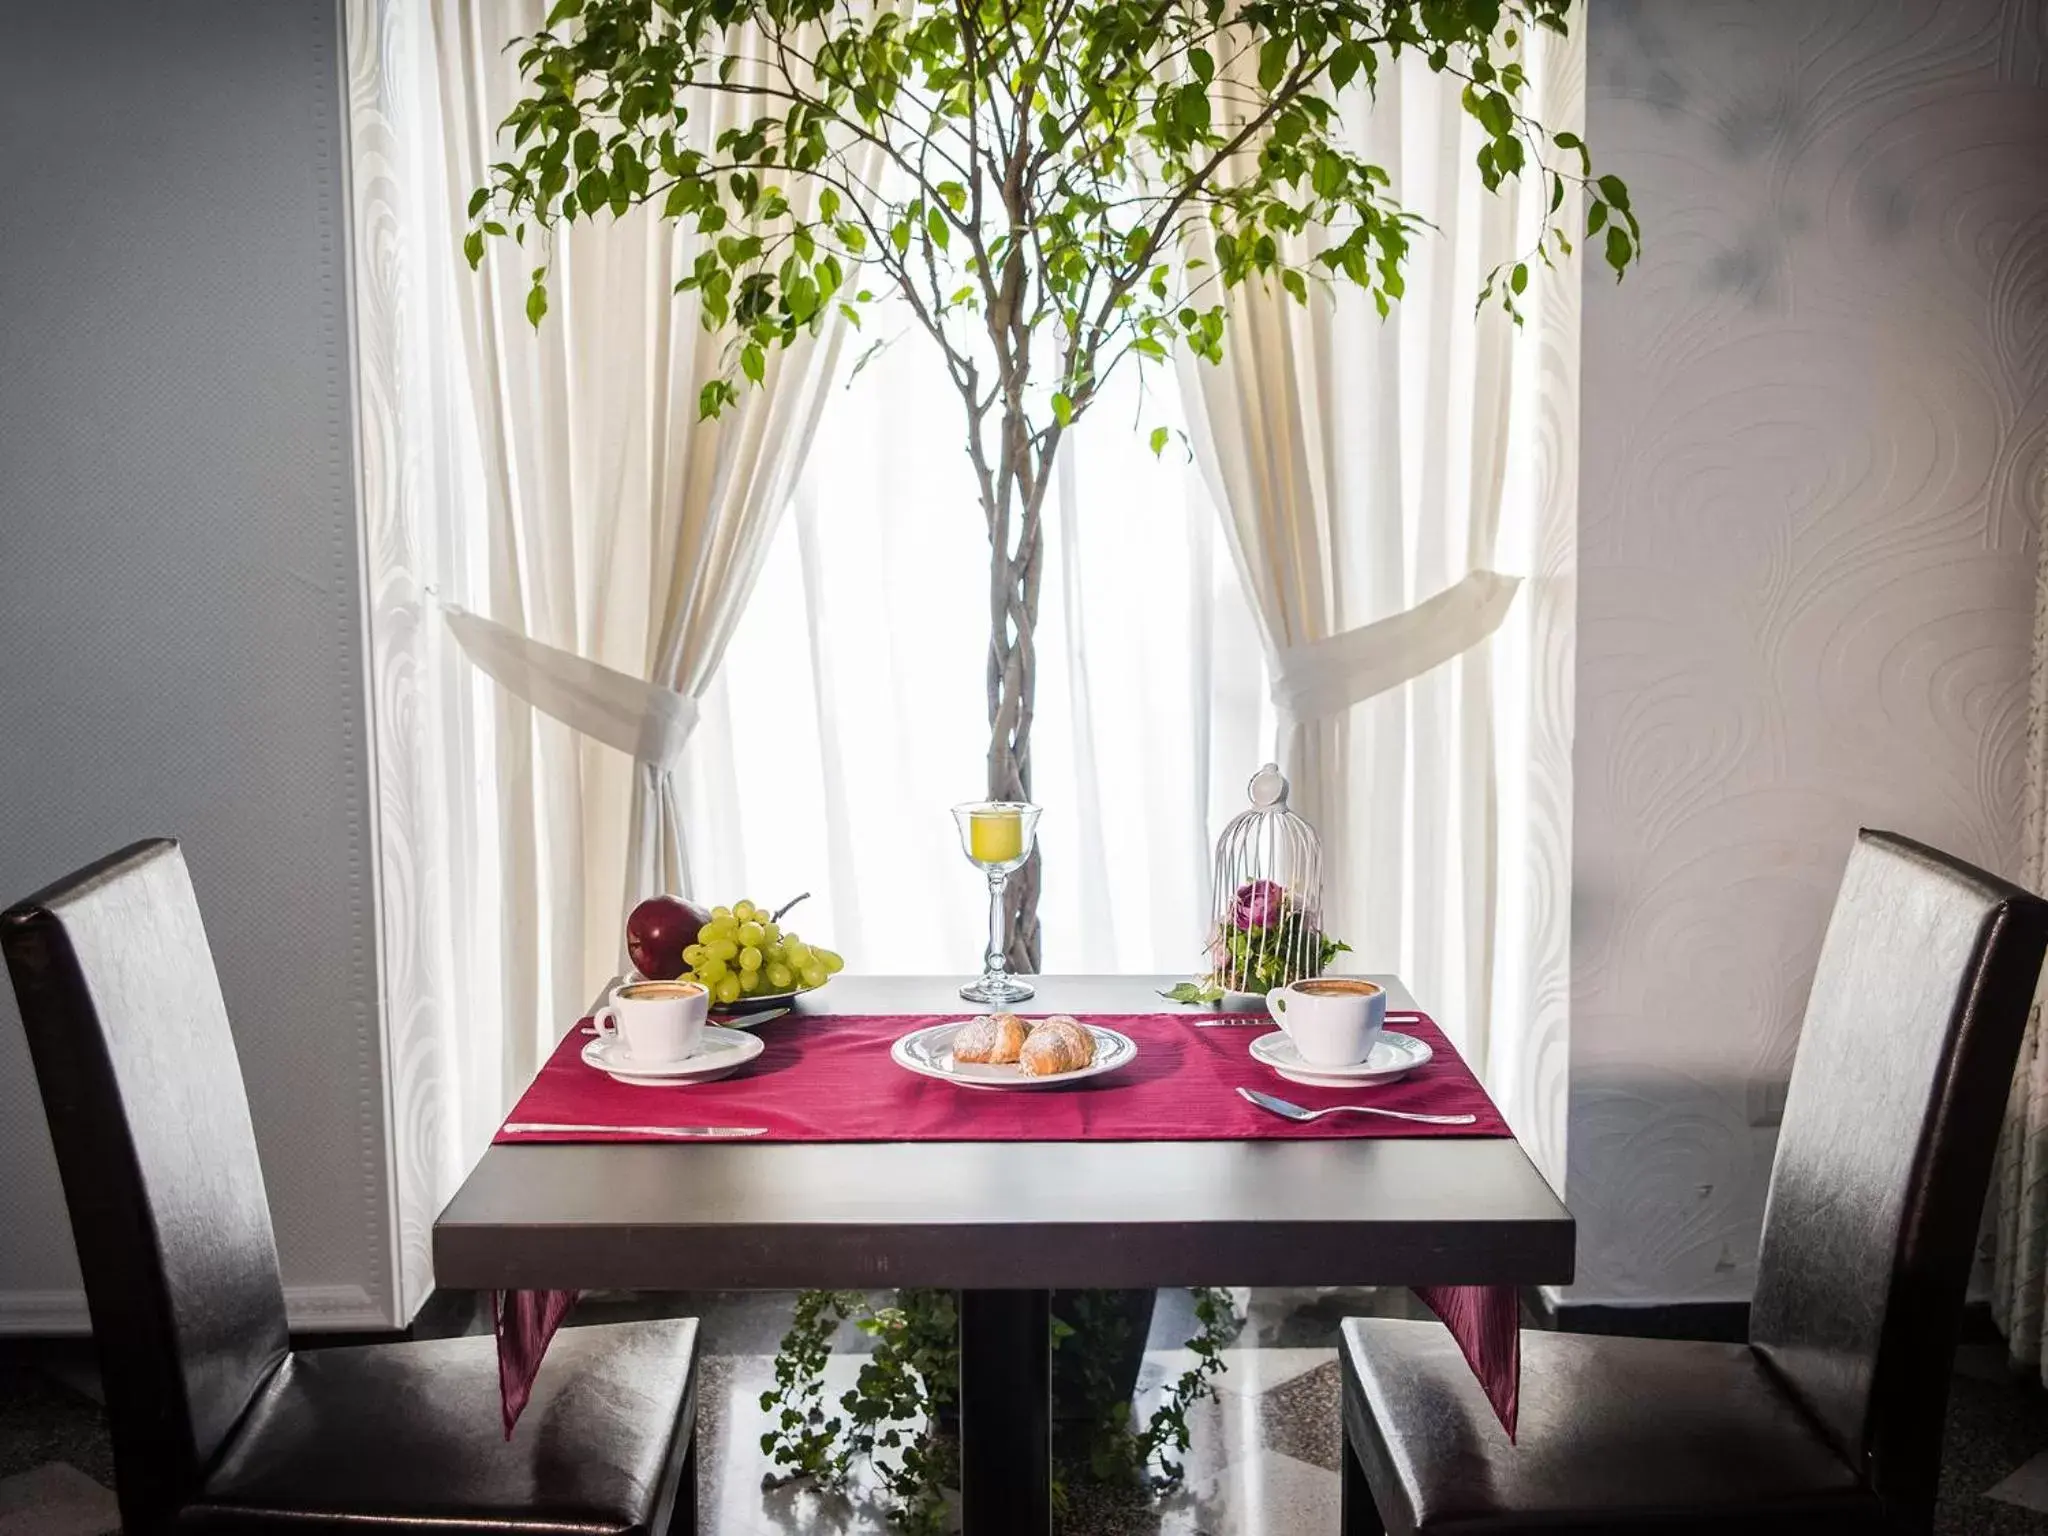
column 892, row 1420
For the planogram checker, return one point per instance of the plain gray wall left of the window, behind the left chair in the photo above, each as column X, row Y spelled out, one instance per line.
column 179, row 613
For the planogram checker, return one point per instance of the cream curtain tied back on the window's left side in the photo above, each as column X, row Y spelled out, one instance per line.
column 556, row 552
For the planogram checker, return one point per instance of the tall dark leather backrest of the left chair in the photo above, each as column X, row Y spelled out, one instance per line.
column 153, row 1132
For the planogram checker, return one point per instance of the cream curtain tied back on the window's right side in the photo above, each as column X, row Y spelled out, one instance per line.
column 1385, row 499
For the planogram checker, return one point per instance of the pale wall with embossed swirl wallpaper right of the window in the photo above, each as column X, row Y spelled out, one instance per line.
column 1816, row 437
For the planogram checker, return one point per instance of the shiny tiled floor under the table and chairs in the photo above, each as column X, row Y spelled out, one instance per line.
column 1265, row 1457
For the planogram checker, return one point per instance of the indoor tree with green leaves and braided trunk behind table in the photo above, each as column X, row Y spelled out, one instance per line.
column 1052, row 187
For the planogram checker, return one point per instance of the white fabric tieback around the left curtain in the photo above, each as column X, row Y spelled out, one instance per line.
column 638, row 718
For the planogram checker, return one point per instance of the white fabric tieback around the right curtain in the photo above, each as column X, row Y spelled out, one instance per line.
column 1332, row 675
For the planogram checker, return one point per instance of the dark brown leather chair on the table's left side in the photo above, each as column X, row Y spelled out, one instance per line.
column 218, row 1424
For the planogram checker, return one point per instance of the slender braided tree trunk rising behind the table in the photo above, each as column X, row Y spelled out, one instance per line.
column 1017, row 550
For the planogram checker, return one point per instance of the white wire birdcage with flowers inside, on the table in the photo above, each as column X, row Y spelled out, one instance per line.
column 1269, row 919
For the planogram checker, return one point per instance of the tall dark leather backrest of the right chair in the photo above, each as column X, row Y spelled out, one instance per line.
column 1889, row 1129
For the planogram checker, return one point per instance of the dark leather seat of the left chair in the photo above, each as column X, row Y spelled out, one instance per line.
column 413, row 1433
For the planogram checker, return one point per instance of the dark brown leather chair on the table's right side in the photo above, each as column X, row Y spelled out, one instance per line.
column 1830, row 1420
